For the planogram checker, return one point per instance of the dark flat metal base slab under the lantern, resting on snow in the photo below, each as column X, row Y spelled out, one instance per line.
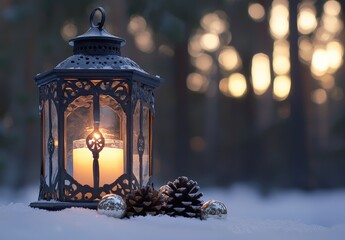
column 57, row 206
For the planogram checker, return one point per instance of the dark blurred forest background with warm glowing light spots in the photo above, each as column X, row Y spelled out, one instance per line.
column 253, row 91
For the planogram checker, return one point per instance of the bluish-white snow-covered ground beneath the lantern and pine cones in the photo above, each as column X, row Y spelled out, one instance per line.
column 282, row 215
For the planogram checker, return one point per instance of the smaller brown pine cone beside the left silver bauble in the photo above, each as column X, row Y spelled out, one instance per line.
column 144, row 201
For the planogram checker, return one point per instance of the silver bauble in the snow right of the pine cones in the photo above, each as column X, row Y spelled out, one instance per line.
column 213, row 209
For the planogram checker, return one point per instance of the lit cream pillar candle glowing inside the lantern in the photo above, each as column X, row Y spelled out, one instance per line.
column 110, row 162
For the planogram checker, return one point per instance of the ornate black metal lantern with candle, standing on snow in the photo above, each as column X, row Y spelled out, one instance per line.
column 96, row 111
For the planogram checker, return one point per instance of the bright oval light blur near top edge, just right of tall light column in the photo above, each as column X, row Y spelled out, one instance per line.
column 307, row 21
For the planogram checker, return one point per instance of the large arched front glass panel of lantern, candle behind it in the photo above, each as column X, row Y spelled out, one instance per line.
column 79, row 124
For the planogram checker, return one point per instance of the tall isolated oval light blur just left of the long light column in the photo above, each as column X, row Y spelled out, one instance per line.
column 261, row 75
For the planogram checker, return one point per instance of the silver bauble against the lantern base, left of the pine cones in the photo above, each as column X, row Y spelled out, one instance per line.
column 112, row 205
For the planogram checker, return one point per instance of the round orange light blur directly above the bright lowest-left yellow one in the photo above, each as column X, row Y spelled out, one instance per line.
column 229, row 59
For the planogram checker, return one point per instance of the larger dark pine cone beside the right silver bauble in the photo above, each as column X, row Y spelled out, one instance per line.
column 183, row 198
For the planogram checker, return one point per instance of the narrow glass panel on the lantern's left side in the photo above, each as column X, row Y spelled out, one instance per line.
column 50, row 137
